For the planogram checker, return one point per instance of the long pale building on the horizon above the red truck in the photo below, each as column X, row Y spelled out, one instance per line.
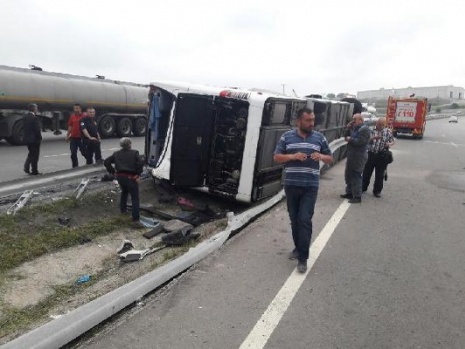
column 449, row 92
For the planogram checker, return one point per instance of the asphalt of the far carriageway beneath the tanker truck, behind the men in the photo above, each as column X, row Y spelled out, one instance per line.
column 54, row 155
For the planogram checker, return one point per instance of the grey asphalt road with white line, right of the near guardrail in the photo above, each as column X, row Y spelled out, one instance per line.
column 391, row 274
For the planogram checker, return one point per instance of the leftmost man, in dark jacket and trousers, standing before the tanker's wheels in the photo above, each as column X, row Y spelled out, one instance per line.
column 32, row 138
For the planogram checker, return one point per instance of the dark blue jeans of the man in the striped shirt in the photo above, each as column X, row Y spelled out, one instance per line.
column 301, row 205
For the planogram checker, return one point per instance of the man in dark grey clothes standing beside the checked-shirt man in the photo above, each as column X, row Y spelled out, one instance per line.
column 357, row 138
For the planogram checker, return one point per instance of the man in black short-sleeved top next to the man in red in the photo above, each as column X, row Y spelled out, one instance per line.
column 90, row 137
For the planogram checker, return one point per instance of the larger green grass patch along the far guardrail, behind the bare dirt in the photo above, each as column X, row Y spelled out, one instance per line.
column 35, row 230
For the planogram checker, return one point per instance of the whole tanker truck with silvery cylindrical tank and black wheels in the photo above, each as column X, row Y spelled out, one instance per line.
column 121, row 107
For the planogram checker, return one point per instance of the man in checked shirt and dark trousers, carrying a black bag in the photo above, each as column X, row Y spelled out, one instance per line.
column 381, row 140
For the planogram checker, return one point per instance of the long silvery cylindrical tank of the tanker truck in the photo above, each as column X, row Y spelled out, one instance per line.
column 55, row 91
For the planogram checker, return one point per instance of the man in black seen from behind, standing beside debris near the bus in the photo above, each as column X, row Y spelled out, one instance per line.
column 128, row 167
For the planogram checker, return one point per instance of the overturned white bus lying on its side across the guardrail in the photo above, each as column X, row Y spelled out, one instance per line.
column 221, row 140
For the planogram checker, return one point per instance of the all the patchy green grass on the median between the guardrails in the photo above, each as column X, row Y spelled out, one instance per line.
column 35, row 231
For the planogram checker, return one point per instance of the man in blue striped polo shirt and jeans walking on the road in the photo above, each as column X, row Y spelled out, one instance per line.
column 301, row 150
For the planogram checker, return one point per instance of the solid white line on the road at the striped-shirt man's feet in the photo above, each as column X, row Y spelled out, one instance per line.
column 265, row 326
